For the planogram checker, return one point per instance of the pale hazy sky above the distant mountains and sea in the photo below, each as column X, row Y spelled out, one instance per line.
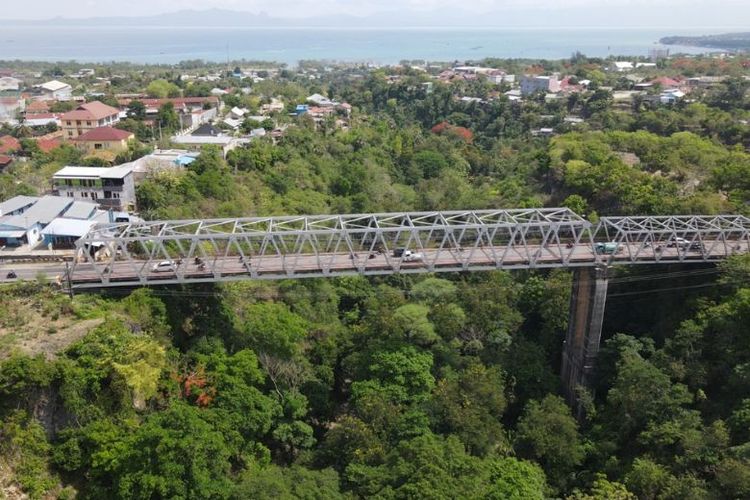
column 732, row 11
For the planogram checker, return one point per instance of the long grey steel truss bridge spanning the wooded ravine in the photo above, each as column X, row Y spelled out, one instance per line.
column 290, row 247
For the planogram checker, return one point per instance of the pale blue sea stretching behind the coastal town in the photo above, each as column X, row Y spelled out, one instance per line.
column 154, row 44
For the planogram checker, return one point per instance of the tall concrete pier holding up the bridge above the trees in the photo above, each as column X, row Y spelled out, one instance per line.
column 584, row 332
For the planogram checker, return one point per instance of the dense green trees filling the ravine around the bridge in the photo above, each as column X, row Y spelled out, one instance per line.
column 435, row 386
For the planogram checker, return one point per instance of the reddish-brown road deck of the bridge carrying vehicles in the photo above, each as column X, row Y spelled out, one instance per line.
column 138, row 272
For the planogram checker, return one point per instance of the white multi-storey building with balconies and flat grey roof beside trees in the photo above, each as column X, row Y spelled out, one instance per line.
column 110, row 187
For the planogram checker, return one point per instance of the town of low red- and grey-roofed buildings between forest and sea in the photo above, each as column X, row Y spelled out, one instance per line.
column 122, row 133
